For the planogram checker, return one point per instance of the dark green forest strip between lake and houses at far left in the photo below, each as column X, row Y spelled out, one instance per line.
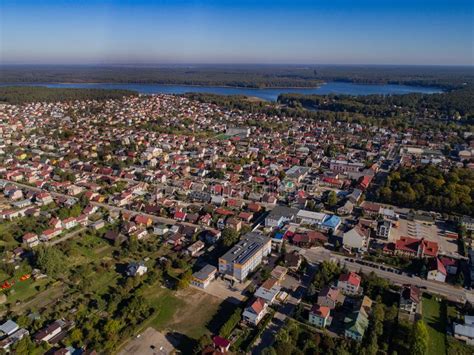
column 26, row 94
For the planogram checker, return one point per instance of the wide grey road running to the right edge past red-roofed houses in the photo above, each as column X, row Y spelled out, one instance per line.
column 457, row 294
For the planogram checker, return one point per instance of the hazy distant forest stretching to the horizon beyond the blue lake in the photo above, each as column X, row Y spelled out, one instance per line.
column 253, row 76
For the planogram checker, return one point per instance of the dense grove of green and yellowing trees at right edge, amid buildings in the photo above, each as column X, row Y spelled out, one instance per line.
column 430, row 188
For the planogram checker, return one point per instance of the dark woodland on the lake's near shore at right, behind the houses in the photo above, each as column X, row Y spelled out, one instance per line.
column 453, row 104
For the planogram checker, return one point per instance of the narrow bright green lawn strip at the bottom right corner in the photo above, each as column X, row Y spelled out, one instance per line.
column 434, row 315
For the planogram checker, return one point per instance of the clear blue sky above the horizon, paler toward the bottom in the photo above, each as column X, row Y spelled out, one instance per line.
column 428, row 32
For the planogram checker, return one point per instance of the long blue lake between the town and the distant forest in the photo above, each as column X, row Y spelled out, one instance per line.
column 270, row 94
